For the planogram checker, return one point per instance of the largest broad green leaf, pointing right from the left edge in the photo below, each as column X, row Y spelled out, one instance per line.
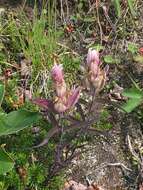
column 16, row 121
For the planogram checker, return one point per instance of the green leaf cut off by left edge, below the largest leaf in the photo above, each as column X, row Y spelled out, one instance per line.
column 6, row 162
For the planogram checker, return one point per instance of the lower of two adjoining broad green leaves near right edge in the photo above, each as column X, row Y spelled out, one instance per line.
column 131, row 104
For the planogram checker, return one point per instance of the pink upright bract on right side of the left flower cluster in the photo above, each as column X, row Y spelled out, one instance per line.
column 74, row 97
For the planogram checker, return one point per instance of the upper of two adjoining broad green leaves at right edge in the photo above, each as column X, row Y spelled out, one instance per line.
column 133, row 93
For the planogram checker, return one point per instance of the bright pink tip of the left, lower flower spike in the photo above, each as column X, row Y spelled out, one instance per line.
column 57, row 73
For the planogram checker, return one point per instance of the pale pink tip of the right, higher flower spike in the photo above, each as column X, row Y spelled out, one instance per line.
column 92, row 56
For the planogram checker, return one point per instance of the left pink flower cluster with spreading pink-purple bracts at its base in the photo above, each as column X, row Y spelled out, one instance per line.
column 65, row 98
